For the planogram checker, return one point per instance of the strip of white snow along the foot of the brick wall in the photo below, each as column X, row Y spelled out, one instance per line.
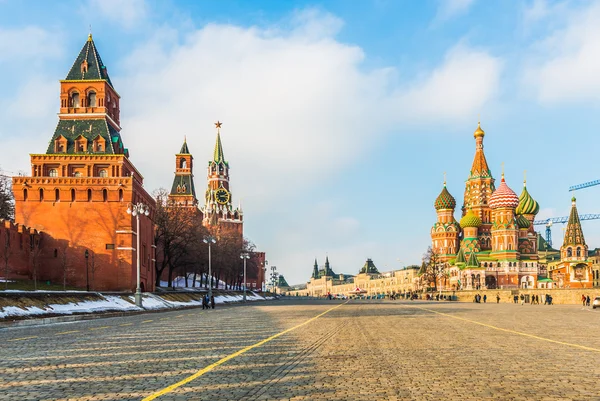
column 116, row 303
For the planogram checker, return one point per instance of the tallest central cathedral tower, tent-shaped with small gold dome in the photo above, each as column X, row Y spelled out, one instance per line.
column 478, row 190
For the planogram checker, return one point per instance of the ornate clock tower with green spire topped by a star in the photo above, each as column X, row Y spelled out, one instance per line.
column 218, row 208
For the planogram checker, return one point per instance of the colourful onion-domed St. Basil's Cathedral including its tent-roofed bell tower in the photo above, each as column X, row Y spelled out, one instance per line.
column 494, row 245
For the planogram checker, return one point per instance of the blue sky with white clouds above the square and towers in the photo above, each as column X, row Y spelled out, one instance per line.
column 339, row 118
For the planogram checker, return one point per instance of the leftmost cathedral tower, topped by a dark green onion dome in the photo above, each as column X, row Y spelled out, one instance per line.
column 445, row 232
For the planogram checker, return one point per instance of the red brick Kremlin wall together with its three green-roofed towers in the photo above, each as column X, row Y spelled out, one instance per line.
column 73, row 213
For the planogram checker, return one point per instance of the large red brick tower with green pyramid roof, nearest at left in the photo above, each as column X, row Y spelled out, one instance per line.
column 79, row 190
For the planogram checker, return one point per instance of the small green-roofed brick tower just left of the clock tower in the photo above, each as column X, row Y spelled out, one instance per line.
column 183, row 193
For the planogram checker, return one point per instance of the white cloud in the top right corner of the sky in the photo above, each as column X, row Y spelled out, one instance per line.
column 563, row 67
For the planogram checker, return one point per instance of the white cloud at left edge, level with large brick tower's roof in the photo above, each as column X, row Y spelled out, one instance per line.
column 17, row 45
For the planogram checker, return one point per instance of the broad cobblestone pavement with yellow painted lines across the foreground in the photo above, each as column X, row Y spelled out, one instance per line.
column 362, row 350
